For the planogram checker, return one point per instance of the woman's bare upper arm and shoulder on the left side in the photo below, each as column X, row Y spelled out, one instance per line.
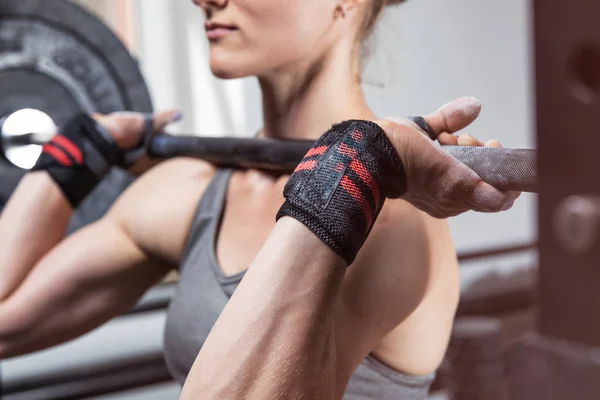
column 101, row 270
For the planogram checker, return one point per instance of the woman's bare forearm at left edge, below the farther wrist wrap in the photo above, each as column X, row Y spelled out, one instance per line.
column 34, row 220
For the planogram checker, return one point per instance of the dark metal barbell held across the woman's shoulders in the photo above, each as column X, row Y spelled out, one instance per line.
column 506, row 169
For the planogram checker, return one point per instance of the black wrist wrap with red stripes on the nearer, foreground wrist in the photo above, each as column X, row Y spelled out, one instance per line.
column 339, row 188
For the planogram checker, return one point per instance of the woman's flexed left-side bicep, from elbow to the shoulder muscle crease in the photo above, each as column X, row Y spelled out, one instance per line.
column 89, row 278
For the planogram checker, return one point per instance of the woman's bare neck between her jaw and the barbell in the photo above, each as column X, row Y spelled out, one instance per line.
column 303, row 103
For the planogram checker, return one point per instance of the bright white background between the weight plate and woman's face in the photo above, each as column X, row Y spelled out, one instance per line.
column 173, row 52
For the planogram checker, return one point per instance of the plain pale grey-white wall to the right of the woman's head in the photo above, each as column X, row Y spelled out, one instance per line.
column 431, row 51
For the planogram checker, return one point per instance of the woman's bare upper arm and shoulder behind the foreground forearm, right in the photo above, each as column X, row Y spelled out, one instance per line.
column 399, row 306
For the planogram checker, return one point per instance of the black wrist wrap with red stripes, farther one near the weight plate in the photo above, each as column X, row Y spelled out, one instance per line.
column 79, row 157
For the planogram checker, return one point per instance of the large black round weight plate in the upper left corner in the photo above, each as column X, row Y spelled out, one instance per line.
column 58, row 58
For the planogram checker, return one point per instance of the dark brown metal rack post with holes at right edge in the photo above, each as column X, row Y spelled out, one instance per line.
column 560, row 359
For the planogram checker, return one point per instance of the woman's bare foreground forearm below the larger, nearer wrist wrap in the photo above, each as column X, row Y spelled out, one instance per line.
column 275, row 338
